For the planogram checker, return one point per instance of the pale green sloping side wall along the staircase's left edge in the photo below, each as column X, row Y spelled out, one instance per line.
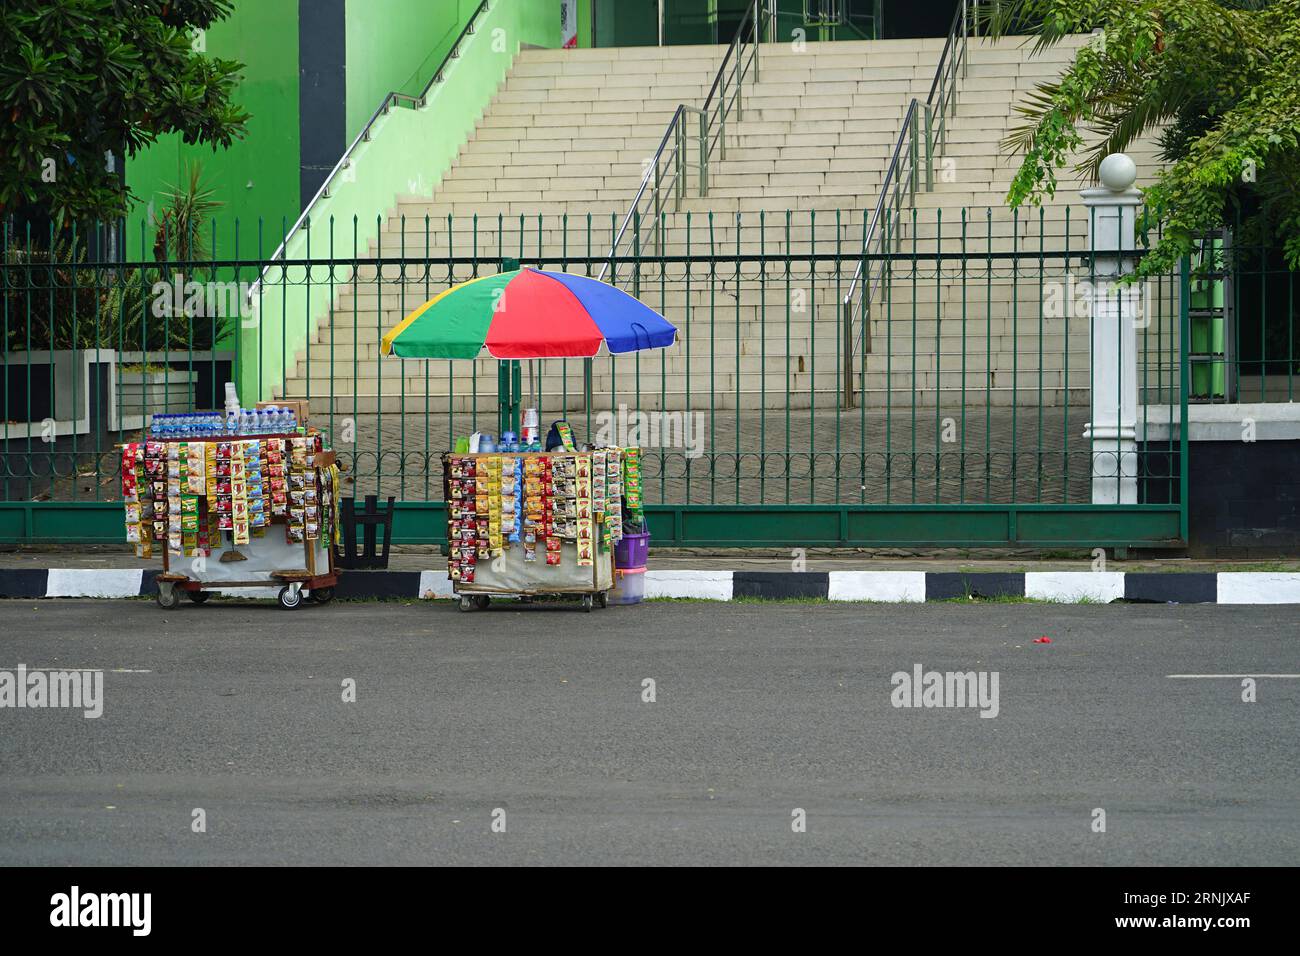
column 408, row 145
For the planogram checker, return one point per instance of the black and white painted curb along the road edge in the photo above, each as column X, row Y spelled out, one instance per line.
column 1069, row 587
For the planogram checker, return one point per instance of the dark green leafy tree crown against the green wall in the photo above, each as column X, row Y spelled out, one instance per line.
column 81, row 79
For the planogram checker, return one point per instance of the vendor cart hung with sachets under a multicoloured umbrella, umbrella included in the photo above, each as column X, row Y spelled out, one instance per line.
column 523, row 522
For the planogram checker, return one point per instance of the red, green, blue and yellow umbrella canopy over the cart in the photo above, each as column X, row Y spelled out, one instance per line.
column 528, row 314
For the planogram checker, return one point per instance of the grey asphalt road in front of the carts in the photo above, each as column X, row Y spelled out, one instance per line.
column 761, row 710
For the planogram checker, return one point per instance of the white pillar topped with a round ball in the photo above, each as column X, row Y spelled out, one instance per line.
column 1113, row 421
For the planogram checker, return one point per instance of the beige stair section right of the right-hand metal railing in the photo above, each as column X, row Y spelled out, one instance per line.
column 1016, row 349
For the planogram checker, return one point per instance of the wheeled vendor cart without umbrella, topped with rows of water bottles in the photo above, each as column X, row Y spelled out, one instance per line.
column 228, row 512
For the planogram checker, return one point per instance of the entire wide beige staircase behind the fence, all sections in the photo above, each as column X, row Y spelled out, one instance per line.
column 565, row 146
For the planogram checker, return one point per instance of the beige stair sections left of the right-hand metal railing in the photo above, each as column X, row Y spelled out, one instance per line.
column 569, row 136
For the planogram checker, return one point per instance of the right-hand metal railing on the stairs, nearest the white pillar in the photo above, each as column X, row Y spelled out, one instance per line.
column 902, row 181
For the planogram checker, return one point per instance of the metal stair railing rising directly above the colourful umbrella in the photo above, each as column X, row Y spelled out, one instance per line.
column 666, row 174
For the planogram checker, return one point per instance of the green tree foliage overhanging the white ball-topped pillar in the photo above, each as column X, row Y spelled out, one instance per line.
column 1219, row 81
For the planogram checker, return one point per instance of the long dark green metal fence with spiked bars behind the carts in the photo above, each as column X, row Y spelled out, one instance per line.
column 972, row 377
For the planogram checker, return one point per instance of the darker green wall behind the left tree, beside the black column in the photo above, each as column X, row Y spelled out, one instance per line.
column 258, row 176
